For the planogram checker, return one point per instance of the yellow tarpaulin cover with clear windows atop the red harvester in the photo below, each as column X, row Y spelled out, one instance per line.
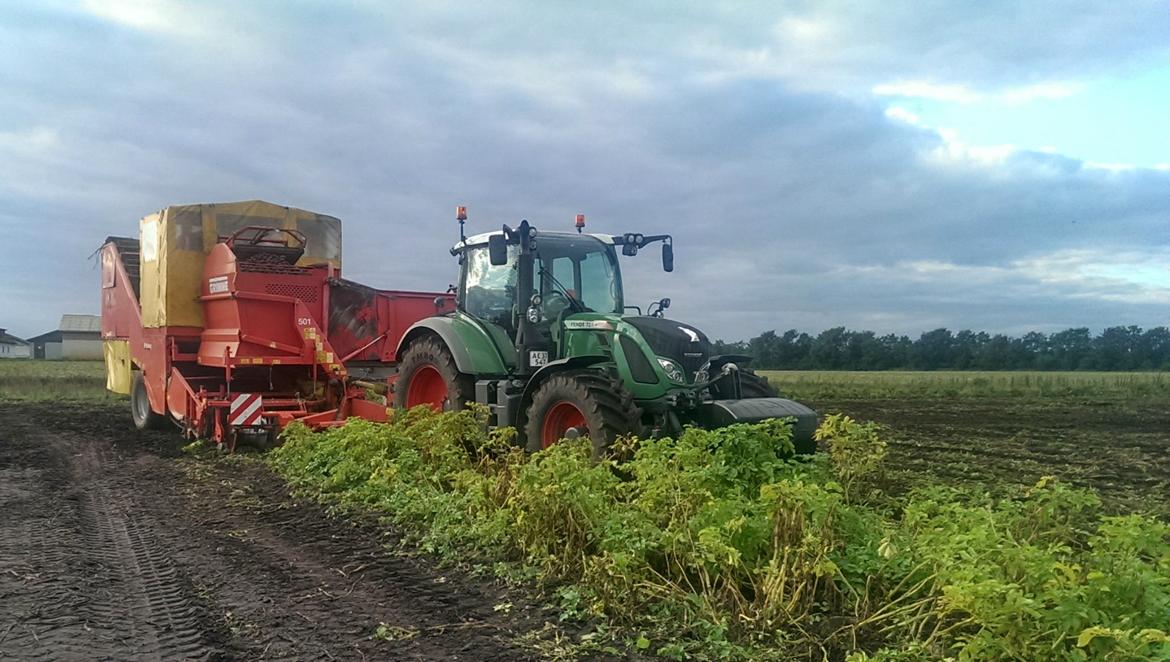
column 175, row 243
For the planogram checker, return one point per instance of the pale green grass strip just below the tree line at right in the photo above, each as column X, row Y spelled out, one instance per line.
column 816, row 385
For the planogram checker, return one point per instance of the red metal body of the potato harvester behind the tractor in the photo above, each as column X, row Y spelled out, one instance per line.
column 265, row 332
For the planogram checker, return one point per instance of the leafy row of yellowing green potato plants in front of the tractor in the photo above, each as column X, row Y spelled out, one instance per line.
column 720, row 546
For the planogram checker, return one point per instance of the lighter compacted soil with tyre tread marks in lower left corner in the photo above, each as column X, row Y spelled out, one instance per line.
column 87, row 581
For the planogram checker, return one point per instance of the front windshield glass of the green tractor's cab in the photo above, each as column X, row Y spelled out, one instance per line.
column 584, row 267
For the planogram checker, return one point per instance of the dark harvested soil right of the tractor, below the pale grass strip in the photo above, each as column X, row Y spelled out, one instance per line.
column 1121, row 449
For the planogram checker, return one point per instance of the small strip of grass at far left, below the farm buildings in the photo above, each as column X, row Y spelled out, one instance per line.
column 47, row 382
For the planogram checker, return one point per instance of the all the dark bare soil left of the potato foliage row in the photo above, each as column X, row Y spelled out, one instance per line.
column 115, row 546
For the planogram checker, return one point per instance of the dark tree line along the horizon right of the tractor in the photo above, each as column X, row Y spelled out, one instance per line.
column 1114, row 349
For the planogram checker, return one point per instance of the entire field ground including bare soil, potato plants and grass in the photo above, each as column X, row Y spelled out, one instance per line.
column 121, row 544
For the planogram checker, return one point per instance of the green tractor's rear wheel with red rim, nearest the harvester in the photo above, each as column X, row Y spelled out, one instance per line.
column 429, row 376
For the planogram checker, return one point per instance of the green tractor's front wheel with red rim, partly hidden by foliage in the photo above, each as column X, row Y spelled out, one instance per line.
column 593, row 403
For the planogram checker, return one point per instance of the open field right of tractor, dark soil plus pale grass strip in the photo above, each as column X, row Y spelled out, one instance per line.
column 1105, row 431
